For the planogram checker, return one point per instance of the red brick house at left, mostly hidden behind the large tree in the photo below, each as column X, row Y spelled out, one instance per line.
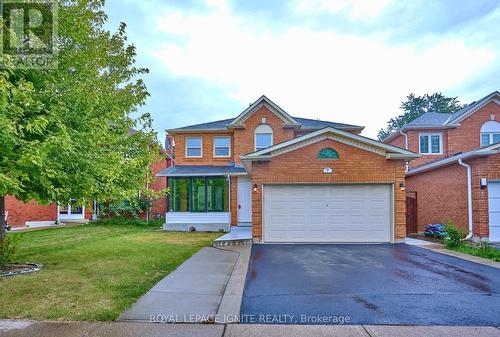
column 33, row 214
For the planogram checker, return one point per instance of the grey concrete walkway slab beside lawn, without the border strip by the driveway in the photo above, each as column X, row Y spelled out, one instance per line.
column 190, row 294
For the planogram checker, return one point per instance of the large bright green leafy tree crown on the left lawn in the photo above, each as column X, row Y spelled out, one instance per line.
column 66, row 132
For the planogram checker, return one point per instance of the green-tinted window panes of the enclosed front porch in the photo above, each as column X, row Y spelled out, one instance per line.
column 198, row 194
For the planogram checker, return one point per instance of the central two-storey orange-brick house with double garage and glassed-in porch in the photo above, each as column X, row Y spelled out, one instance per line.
column 292, row 179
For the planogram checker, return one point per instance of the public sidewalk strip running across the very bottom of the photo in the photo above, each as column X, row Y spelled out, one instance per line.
column 123, row 329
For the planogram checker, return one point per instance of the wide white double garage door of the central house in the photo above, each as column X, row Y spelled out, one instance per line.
column 327, row 213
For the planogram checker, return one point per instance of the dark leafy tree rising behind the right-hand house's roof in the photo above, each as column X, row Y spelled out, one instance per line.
column 415, row 106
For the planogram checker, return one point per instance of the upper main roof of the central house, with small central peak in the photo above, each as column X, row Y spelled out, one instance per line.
column 295, row 122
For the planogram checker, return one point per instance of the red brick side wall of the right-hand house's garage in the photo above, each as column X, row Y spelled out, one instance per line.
column 441, row 196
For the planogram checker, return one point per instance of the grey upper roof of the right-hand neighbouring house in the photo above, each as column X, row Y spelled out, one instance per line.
column 438, row 120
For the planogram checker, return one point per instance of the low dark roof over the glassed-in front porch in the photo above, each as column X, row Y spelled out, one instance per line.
column 200, row 170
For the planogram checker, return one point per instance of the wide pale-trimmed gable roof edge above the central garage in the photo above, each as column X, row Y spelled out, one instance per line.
column 389, row 151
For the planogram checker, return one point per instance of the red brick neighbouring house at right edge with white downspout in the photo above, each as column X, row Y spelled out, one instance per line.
column 444, row 186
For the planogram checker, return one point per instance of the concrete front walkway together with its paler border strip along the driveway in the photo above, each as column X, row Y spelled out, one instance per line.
column 207, row 287
